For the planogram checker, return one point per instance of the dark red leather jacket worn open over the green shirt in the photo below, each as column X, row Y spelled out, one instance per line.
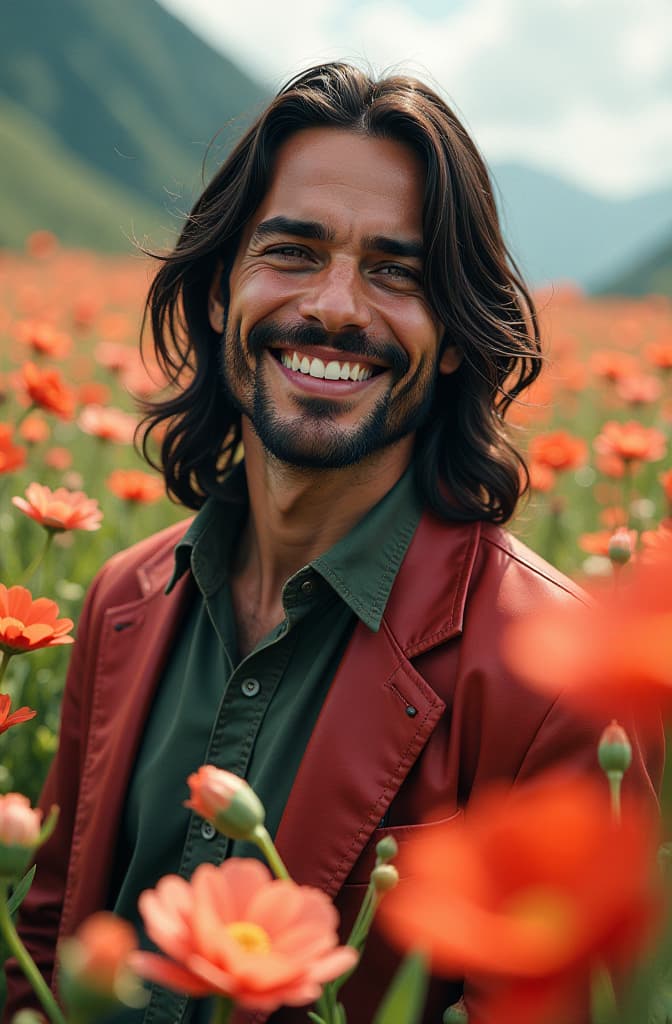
column 437, row 652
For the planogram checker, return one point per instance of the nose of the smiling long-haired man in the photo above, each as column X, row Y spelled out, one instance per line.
column 335, row 298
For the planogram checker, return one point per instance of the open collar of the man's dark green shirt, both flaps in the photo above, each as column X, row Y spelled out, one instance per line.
column 361, row 568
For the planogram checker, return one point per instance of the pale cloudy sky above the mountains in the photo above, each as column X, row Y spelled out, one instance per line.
column 582, row 89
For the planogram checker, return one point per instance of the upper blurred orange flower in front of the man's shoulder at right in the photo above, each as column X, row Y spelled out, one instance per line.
column 612, row 660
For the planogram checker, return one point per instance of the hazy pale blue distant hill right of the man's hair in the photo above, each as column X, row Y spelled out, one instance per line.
column 562, row 233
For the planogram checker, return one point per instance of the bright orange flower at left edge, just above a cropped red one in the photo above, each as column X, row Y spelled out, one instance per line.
column 27, row 625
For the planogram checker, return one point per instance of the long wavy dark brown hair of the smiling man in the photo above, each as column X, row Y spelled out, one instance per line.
column 467, row 466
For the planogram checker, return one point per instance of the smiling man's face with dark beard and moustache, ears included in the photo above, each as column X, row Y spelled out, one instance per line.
column 330, row 348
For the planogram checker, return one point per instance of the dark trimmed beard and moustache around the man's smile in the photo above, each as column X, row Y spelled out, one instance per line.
column 316, row 442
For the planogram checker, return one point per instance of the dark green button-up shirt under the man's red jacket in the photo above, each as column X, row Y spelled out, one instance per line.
column 253, row 716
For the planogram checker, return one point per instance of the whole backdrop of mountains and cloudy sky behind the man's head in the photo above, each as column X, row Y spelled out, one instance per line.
column 108, row 112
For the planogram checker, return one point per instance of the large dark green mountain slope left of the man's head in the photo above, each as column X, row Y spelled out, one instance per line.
column 107, row 111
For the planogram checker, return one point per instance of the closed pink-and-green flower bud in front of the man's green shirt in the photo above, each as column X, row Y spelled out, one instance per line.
column 226, row 800
